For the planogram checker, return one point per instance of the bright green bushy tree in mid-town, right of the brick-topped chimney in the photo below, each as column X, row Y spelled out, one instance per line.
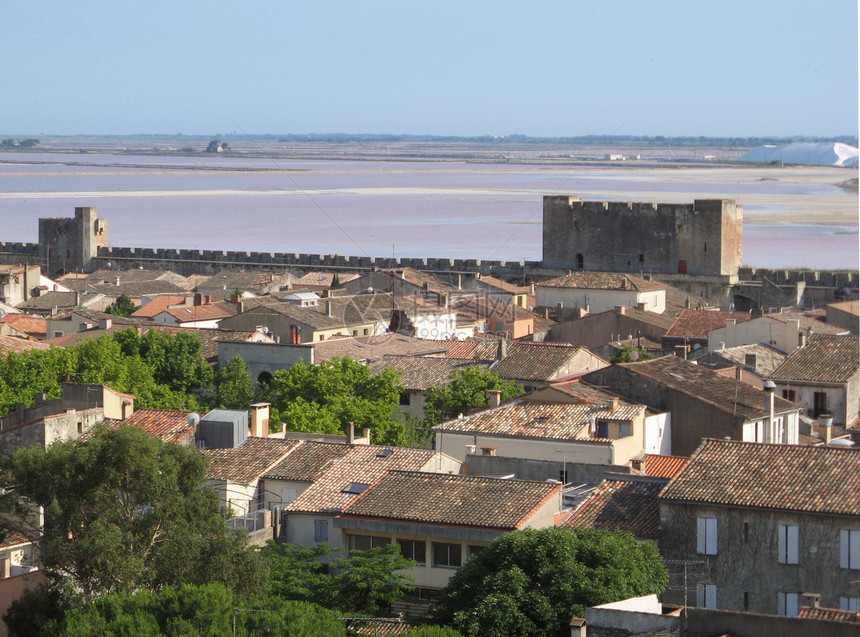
column 324, row 397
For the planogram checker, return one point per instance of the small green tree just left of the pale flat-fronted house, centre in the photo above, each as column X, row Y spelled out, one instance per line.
column 466, row 390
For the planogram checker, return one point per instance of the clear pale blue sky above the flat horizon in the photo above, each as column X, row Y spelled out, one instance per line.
column 447, row 68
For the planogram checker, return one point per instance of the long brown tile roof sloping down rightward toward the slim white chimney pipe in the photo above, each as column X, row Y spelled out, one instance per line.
column 705, row 384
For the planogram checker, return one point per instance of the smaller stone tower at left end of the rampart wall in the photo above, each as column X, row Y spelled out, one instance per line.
column 69, row 244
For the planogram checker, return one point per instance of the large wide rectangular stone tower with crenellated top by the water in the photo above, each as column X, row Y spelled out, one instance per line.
column 704, row 238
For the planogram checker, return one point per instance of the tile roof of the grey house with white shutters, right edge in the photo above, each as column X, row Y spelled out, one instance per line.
column 807, row 479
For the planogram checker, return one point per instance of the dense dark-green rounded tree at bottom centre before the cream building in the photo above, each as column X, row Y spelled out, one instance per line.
column 531, row 582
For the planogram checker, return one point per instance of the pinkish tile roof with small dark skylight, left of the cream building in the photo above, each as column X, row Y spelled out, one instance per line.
column 364, row 464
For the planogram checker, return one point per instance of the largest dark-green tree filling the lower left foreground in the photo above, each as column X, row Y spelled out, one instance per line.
column 125, row 512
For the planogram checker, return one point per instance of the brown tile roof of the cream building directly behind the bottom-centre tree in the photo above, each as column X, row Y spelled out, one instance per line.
column 441, row 498
